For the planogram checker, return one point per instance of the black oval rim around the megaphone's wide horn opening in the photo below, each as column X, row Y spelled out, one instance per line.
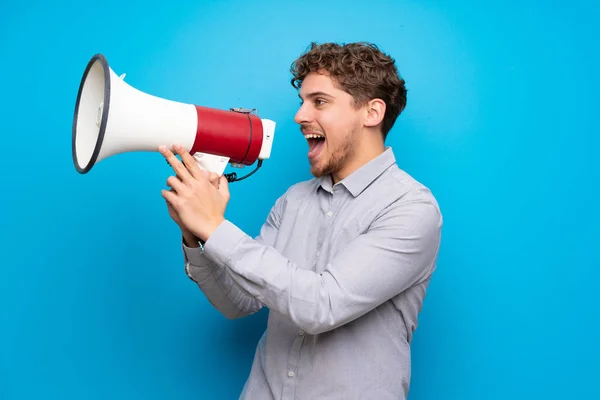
column 104, row 119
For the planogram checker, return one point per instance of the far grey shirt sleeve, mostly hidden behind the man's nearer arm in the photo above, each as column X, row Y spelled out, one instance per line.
column 217, row 284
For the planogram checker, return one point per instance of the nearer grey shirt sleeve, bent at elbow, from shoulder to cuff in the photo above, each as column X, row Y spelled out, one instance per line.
column 399, row 250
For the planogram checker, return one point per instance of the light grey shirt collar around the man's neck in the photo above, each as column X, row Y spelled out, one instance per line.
column 358, row 181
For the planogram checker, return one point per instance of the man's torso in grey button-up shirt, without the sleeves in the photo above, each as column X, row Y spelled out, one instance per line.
column 367, row 358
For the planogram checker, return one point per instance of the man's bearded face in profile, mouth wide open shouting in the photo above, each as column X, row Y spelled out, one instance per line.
column 330, row 123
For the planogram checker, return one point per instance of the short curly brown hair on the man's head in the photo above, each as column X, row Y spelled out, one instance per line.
column 361, row 69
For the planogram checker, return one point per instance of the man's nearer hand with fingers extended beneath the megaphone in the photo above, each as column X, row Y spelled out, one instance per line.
column 196, row 202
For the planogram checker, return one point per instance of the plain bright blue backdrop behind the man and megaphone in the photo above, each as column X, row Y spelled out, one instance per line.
column 501, row 123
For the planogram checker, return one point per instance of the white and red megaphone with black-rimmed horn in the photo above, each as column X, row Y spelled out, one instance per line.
column 112, row 117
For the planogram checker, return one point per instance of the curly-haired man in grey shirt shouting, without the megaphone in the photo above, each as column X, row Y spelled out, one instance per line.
column 343, row 260
